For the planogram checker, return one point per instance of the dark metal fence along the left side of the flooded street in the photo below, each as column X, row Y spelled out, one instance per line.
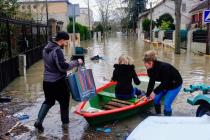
column 19, row 37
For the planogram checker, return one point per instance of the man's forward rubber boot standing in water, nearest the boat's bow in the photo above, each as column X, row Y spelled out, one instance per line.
column 65, row 118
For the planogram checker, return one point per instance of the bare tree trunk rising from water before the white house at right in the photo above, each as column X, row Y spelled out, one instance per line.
column 178, row 23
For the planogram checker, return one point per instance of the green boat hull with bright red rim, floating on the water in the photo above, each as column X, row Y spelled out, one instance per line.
column 105, row 94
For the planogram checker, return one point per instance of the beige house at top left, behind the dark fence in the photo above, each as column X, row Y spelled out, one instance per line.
column 58, row 10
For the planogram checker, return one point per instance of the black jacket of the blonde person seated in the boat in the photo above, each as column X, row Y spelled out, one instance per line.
column 123, row 75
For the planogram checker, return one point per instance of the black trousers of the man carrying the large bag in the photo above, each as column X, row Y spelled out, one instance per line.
column 58, row 91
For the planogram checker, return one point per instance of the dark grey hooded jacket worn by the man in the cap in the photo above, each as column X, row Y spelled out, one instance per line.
column 55, row 66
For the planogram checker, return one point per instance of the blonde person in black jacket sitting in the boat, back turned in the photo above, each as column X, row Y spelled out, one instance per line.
column 123, row 74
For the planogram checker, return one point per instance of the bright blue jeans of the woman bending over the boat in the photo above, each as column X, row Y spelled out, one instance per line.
column 170, row 95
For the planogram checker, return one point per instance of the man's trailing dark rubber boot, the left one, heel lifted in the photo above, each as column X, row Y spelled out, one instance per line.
column 42, row 113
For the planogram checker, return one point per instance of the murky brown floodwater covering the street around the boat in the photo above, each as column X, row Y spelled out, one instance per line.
column 28, row 94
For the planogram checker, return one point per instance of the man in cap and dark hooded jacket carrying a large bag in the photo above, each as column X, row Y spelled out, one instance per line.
column 54, row 82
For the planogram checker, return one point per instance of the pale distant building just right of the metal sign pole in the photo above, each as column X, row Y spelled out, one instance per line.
column 84, row 18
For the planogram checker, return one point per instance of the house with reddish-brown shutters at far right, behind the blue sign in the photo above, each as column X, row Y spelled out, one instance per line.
column 197, row 14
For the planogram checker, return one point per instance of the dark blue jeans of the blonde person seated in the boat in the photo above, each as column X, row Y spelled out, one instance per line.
column 131, row 95
